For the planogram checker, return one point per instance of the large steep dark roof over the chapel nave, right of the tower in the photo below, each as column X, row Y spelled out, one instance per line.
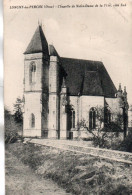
column 87, row 77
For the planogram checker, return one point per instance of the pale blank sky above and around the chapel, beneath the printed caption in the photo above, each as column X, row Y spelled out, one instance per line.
column 102, row 34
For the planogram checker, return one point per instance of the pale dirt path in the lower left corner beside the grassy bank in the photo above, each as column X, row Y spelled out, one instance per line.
column 20, row 180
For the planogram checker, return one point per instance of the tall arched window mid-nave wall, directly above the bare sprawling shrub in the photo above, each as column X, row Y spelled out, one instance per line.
column 92, row 118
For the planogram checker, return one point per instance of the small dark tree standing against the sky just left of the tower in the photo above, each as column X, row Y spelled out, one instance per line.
column 18, row 106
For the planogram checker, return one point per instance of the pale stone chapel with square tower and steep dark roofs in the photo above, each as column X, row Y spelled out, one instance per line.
column 60, row 92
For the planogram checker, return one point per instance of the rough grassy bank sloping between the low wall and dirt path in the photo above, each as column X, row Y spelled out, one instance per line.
column 77, row 173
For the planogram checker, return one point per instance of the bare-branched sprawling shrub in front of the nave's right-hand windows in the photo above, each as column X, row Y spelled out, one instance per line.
column 104, row 132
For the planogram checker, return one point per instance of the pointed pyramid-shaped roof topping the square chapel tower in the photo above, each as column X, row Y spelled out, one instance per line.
column 38, row 43
